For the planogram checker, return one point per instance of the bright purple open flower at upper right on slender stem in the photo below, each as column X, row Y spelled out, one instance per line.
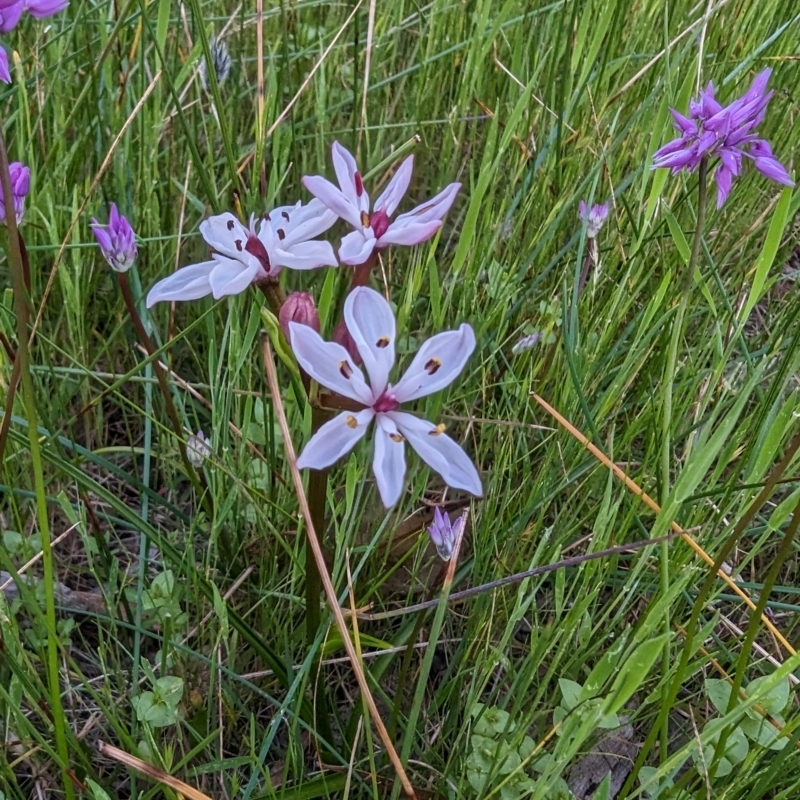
column 727, row 132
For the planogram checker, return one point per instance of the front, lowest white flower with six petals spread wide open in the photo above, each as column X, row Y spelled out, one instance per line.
column 438, row 362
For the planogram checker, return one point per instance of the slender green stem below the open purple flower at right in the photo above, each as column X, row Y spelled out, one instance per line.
column 666, row 420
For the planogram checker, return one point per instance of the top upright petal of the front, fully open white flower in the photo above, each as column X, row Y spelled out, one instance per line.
column 371, row 323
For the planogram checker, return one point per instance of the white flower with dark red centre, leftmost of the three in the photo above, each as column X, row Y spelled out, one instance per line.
column 245, row 255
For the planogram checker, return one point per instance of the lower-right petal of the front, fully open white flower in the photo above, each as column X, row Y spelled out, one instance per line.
column 439, row 452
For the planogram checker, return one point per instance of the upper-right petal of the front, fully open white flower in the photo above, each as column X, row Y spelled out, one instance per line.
column 437, row 364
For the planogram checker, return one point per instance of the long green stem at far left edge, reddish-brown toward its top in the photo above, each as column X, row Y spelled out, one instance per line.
column 15, row 258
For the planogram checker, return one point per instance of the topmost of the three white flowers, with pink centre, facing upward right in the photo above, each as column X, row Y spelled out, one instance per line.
column 373, row 230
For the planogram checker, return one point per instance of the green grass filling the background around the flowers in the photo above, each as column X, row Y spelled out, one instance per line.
column 532, row 106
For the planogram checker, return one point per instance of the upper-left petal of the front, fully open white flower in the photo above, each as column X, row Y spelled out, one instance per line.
column 329, row 364
